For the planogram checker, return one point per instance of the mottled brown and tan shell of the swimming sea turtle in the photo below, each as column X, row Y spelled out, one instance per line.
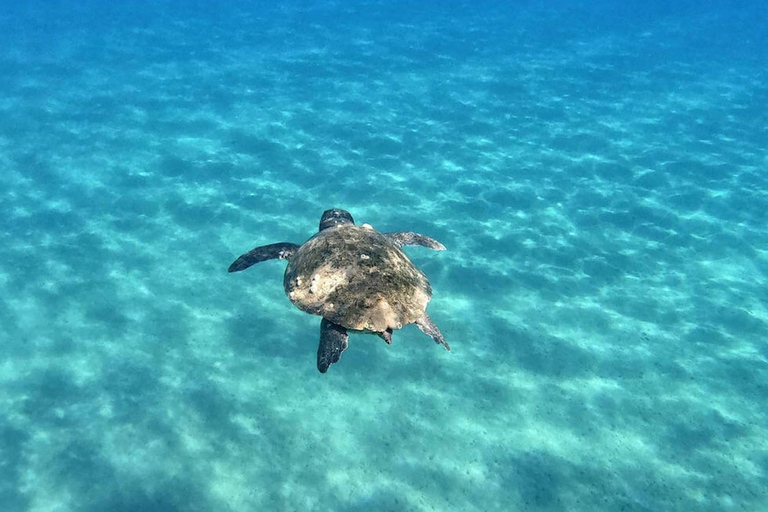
column 357, row 278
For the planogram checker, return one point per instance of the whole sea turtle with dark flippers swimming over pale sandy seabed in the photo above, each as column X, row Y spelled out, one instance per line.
column 356, row 279
